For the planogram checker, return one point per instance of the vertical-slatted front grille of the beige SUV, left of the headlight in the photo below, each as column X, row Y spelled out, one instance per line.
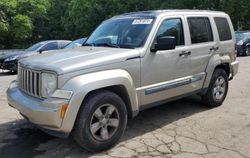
column 29, row 81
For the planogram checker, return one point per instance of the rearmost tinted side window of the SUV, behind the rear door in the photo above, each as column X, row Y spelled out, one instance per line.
column 223, row 29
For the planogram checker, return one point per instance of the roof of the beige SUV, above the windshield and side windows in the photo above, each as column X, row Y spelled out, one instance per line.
column 155, row 13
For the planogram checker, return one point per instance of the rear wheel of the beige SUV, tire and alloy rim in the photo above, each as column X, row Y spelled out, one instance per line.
column 217, row 90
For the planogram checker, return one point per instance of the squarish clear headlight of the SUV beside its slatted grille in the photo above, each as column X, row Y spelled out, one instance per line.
column 49, row 84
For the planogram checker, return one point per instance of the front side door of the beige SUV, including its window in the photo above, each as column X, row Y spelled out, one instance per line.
column 165, row 74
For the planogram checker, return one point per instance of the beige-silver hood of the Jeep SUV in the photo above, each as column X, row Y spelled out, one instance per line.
column 69, row 60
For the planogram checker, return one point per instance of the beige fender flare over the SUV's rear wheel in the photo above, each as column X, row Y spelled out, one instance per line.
column 214, row 61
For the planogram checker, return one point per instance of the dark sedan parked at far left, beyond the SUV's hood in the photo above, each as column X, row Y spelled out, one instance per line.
column 9, row 61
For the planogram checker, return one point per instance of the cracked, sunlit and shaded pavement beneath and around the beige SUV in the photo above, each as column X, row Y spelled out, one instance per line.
column 184, row 128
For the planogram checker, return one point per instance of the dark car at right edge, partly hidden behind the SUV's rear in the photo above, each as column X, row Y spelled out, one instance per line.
column 243, row 42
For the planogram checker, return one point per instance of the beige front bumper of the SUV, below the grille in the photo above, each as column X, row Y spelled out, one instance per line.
column 44, row 113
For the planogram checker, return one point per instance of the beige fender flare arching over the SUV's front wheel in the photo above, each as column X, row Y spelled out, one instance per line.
column 83, row 84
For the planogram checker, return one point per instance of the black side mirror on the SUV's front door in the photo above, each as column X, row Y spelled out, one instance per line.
column 164, row 43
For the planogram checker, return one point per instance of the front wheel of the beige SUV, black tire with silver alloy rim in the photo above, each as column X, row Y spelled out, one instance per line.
column 101, row 121
